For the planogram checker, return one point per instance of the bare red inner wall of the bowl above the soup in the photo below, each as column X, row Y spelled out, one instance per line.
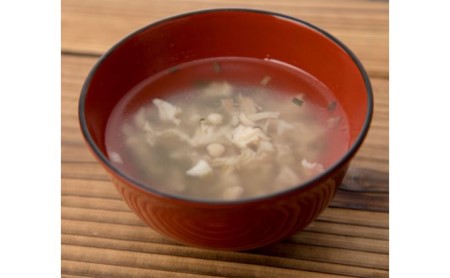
column 223, row 33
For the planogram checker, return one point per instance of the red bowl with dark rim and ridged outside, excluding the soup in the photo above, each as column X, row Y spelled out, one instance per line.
column 229, row 225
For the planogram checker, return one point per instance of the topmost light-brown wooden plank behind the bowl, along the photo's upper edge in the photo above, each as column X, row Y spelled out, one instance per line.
column 95, row 25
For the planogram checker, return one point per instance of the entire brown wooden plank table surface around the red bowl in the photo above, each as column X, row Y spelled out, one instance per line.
column 101, row 237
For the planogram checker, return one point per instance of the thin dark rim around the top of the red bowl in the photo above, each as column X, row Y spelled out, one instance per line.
column 260, row 198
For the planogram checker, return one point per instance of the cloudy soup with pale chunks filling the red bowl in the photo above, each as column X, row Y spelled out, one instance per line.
column 226, row 129
